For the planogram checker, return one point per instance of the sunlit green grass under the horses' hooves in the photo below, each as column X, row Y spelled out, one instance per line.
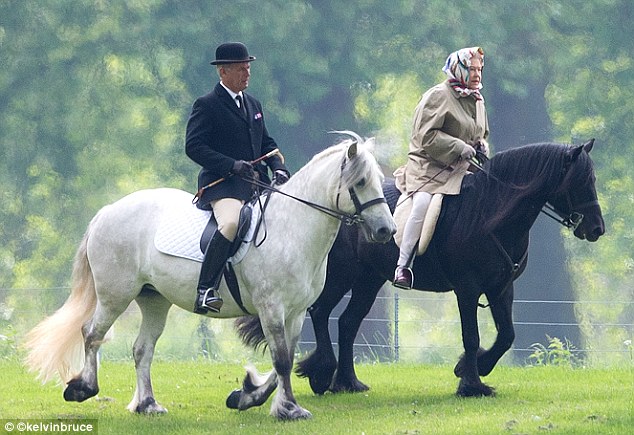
column 404, row 399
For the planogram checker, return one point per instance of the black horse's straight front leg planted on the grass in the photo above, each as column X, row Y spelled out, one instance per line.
column 467, row 368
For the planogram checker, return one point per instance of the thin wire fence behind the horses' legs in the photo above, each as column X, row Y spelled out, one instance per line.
column 406, row 326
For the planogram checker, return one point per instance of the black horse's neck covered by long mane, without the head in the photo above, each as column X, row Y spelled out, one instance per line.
column 490, row 196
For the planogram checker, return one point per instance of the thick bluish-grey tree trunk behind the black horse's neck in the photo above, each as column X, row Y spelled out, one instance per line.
column 514, row 122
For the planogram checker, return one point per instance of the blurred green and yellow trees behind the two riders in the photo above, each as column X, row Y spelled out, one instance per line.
column 94, row 98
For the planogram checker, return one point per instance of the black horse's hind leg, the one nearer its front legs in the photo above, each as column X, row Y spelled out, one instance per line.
column 364, row 293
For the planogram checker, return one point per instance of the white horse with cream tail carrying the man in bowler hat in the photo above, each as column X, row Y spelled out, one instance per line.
column 117, row 263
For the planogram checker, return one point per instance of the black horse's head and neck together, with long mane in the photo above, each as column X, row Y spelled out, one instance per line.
column 562, row 176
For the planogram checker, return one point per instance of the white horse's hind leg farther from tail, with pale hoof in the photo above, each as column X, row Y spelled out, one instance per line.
column 154, row 308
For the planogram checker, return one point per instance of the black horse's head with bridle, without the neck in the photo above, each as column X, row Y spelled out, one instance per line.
column 576, row 199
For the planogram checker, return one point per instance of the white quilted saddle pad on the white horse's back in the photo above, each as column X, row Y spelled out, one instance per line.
column 180, row 229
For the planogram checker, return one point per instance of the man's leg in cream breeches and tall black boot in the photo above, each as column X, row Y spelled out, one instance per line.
column 227, row 214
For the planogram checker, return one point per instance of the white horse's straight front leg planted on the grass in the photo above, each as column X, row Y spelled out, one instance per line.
column 282, row 341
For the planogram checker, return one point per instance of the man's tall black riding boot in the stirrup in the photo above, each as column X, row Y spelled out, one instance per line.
column 216, row 256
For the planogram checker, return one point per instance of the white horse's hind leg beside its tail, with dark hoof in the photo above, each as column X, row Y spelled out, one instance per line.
column 85, row 385
